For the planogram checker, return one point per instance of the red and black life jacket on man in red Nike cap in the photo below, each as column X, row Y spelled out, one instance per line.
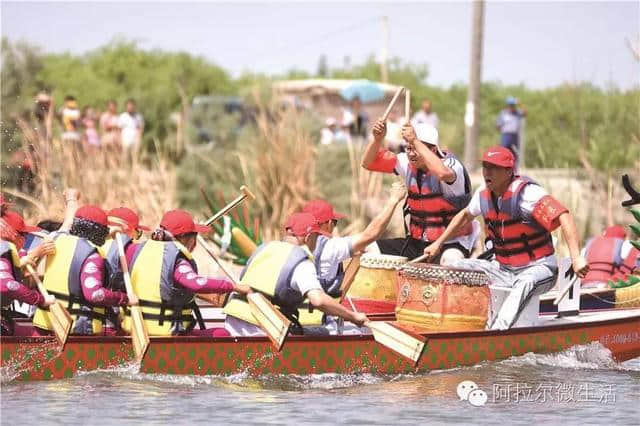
column 517, row 241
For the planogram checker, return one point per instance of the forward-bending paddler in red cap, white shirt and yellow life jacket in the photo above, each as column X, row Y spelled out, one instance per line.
column 283, row 270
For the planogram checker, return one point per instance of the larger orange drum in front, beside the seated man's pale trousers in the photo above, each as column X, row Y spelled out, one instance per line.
column 439, row 298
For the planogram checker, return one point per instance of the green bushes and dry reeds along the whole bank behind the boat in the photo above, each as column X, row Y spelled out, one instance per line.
column 580, row 138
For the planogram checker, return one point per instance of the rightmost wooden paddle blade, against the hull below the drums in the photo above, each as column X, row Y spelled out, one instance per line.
column 407, row 344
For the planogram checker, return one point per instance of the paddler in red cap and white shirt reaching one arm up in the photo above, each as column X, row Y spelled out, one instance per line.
column 330, row 252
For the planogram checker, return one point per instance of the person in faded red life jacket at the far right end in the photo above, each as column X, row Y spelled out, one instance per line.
column 606, row 255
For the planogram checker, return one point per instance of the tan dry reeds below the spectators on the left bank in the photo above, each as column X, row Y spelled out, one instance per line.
column 107, row 178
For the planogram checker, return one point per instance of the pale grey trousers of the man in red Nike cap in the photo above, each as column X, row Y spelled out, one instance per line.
column 536, row 278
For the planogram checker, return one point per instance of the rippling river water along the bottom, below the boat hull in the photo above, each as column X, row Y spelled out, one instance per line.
column 602, row 392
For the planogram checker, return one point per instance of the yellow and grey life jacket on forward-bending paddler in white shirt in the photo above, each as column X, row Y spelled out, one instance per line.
column 269, row 271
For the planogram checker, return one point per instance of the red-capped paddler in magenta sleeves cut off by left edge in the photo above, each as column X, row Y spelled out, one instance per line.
column 12, row 231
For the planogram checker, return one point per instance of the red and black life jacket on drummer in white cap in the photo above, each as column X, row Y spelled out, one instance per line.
column 430, row 210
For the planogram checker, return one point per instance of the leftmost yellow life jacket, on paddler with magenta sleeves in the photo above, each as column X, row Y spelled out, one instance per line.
column 62, row 279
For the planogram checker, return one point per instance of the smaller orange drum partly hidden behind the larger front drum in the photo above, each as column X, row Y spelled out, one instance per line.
column 374, row 287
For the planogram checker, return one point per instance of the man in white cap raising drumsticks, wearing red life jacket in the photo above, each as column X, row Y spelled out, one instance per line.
column 438, row 187
